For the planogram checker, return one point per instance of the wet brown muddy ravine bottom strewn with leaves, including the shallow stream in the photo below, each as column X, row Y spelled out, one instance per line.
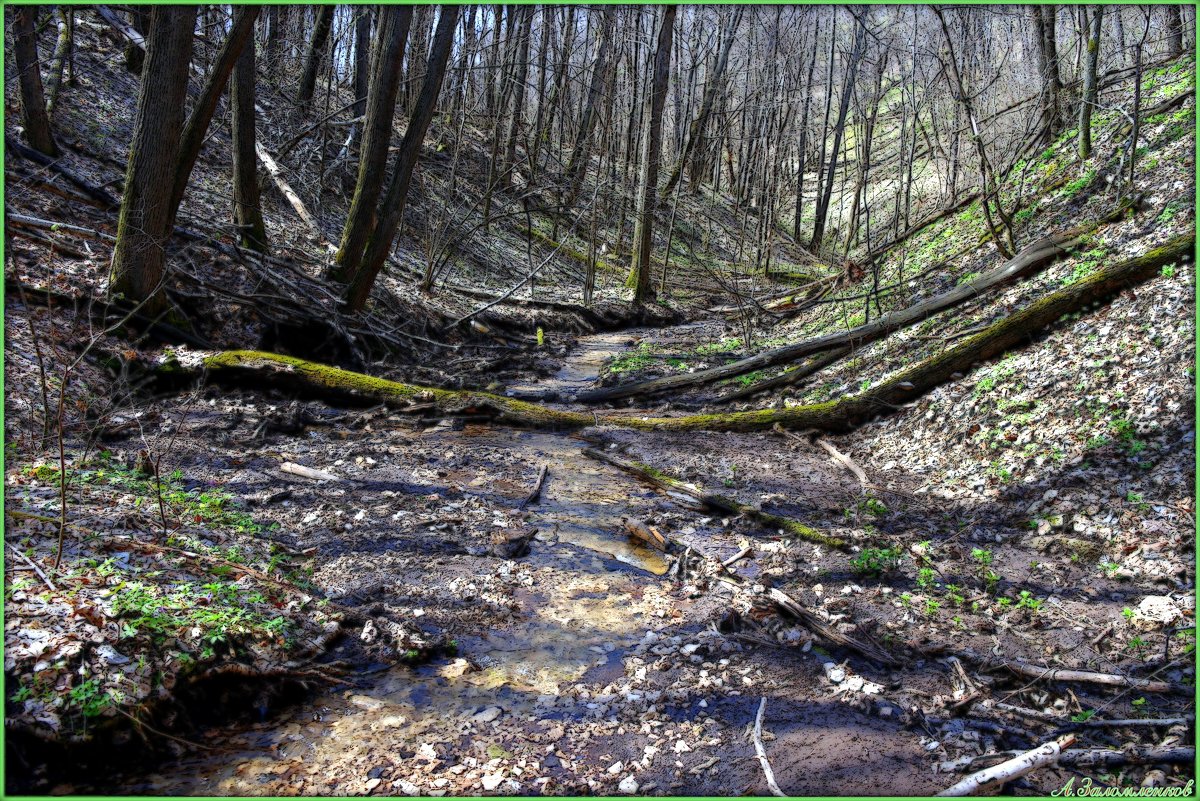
column 589, row 666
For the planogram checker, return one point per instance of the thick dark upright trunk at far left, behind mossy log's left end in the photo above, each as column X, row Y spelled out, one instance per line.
column 147, row 215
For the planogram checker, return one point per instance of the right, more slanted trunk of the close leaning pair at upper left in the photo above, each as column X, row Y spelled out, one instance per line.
column 393, row 210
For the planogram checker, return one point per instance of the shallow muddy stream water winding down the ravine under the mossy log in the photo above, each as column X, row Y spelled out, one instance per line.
column 584, row 595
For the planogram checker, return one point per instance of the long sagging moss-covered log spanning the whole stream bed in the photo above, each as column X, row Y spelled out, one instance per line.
column 262, row 370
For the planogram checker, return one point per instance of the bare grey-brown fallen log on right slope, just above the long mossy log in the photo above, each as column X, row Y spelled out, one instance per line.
column 1029, row 262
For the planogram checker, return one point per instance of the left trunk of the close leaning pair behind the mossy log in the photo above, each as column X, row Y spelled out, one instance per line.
column 392, row 35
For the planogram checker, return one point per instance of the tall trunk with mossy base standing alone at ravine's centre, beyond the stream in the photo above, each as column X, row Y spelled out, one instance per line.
column 647, row 190
